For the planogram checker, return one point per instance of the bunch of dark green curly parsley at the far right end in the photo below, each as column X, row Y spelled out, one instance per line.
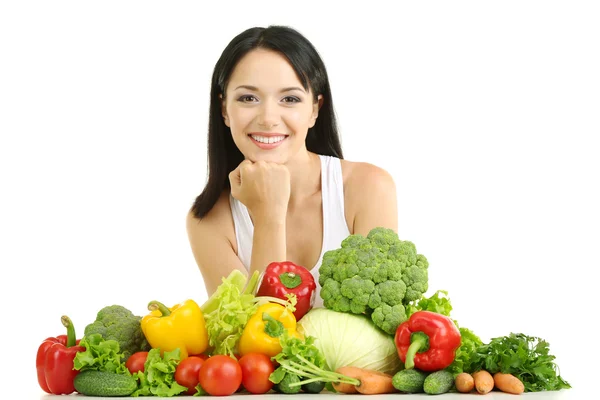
column 526, row 357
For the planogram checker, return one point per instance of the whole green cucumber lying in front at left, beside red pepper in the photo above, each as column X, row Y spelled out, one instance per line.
column 104, row 384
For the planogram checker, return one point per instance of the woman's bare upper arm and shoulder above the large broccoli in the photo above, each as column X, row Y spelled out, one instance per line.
column 373, row 191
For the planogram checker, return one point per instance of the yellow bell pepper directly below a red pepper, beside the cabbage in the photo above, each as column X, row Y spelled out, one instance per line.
column 262, row 331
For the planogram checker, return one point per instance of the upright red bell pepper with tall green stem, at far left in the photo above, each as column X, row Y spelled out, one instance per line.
column 54, row 361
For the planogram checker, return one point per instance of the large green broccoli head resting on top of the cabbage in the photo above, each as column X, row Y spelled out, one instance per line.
column 376, row 275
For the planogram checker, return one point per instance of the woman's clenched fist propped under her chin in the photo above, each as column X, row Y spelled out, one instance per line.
column 263, row 187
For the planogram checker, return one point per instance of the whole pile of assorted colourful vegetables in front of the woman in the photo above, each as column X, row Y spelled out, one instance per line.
column 377, row 333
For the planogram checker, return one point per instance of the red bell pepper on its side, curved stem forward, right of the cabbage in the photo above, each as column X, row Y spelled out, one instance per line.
column 427, row 341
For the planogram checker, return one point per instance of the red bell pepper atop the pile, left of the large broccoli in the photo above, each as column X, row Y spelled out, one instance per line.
column 281, row 278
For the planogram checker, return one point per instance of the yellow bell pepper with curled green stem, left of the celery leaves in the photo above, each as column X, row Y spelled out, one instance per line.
column 181, row 326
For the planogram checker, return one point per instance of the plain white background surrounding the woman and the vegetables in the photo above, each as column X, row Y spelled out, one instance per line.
column 487, row 115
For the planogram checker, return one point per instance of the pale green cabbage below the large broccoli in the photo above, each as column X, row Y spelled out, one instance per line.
column 350, row 340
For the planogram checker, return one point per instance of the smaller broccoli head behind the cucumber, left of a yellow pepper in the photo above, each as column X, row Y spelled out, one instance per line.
column 118, row 323
